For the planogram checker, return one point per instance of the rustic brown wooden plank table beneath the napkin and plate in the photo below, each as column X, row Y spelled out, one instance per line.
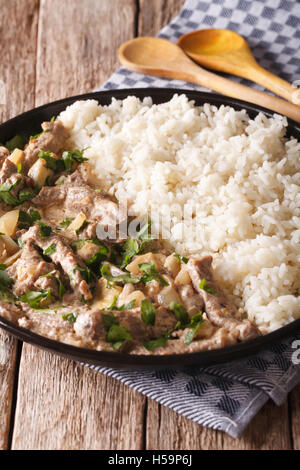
column 51, row 49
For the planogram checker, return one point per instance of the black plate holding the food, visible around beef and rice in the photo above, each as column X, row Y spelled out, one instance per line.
column 29, row 124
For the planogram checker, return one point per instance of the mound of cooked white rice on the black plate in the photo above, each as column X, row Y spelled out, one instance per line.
column 237, row 180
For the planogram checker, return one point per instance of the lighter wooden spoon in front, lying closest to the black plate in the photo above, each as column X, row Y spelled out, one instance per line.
column 160, row 57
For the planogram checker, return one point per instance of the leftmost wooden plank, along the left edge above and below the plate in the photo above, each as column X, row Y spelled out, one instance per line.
column 17, row 84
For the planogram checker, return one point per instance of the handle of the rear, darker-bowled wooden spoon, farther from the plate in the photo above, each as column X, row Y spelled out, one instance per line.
column 270, row 81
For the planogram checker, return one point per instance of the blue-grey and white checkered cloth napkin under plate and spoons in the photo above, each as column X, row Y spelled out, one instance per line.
column 227, row 397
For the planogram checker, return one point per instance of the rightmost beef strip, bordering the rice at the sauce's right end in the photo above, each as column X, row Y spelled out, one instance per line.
column 219, row 309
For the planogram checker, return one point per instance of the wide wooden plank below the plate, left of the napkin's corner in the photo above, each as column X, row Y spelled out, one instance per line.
column 62, row 405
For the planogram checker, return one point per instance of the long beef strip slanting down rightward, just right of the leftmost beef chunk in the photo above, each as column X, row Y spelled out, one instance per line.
column 64, row 257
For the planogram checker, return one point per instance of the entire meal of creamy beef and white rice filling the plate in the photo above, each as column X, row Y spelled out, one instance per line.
column 231, row 277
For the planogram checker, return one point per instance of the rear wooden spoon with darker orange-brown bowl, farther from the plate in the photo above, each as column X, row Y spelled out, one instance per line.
column 227, row 51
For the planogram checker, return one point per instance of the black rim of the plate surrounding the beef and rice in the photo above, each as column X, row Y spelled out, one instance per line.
column 122, row 360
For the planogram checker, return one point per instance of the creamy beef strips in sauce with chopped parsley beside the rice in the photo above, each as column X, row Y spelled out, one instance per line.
column 59, row 280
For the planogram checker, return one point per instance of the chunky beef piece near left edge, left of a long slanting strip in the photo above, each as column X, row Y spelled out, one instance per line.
column 26, row 271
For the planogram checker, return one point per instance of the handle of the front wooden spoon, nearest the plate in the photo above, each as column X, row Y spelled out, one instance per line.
column 195, row 74
